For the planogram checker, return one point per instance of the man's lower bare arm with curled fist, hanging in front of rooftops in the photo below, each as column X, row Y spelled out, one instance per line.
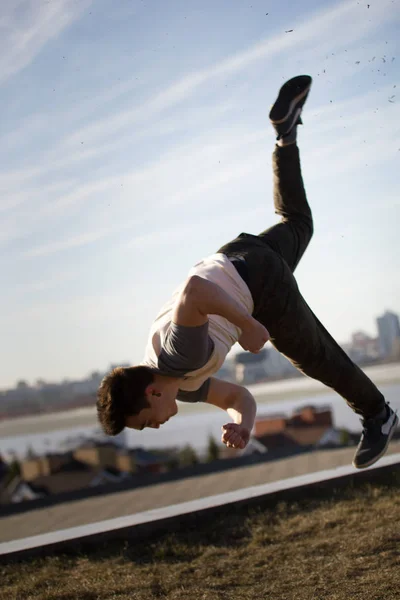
column 241, row 407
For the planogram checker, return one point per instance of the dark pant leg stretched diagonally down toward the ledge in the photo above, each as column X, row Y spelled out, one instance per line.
column 298, row 334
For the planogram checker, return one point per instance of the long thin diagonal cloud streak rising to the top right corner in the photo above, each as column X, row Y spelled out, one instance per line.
column 104, row 134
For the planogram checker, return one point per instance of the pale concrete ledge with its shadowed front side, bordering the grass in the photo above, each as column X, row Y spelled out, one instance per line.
column 176, row 516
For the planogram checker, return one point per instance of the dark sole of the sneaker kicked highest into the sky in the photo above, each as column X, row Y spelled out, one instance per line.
column 285, row 102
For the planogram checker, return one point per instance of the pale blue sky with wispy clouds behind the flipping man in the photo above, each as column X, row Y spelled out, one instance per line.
column 135, row 141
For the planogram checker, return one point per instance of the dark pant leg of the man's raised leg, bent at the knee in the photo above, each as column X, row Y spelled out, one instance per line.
column 291, row 236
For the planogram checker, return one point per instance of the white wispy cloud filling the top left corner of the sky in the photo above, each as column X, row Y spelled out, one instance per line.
column 26, row 26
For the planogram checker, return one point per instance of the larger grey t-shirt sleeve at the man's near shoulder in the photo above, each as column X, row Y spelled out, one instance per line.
column 185, row 349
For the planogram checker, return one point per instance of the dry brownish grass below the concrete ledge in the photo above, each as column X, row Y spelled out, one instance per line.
column 343, row 545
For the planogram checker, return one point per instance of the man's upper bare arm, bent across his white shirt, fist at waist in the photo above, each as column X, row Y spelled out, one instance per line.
column 200, row 298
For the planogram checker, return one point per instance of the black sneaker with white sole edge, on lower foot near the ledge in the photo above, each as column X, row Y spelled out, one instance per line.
column 375, row 438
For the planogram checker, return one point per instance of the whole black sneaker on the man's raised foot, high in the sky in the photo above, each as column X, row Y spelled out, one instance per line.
column 285, row 113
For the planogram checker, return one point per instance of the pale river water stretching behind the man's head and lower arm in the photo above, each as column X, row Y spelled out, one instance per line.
column 193, row 424
